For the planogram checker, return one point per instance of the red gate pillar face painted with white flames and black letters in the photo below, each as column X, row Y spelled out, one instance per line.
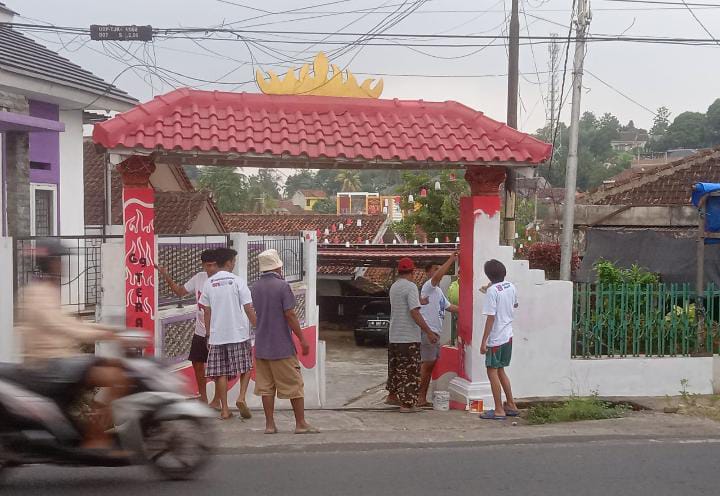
column 139, row 218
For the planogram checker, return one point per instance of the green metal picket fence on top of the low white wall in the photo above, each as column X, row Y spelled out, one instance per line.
column 644, row 320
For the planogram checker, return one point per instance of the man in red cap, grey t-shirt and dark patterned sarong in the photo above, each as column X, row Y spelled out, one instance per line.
column 406, row 328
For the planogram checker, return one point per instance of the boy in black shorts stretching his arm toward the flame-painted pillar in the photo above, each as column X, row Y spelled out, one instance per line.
column 198, row 347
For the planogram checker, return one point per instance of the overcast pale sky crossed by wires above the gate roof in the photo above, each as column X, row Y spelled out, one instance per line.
column 679, row 77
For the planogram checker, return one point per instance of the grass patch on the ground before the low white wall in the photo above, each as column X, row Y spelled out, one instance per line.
column 573, row 410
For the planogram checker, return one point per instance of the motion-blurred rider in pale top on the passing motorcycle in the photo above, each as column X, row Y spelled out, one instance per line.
column 52, row 343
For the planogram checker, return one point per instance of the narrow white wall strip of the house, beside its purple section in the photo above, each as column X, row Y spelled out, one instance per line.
column 72, row 195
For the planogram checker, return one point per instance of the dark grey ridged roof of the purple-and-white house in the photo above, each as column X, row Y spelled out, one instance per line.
column 22, row 55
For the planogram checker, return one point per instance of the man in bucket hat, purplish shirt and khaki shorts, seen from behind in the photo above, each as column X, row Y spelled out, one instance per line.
column 277, row 369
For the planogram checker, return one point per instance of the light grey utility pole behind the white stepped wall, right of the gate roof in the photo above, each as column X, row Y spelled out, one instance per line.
column 583, row 20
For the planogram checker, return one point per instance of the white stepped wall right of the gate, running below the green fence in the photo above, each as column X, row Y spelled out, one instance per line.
column 541, row 364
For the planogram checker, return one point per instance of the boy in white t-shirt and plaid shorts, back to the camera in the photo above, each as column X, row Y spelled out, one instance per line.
column 228, row 316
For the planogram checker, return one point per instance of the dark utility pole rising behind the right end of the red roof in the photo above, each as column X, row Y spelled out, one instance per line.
column 513, row 80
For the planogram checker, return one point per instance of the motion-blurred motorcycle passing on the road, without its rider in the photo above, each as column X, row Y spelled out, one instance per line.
column 154, row 425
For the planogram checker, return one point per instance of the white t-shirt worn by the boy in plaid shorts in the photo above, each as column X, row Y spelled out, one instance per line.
column 226, row 295
